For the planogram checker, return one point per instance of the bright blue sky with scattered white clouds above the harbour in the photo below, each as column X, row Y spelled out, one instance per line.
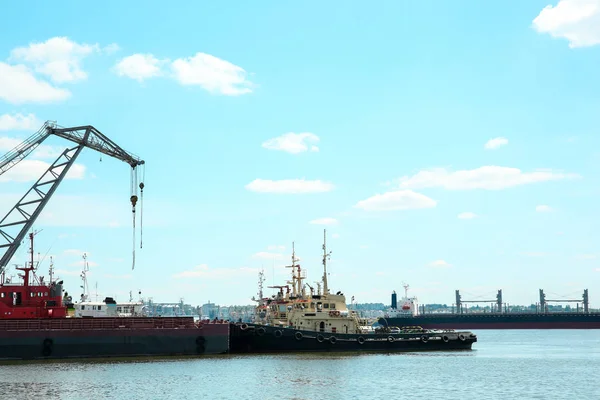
column 449, row 145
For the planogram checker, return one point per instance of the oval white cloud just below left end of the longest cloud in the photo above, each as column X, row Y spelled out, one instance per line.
column 397, row 200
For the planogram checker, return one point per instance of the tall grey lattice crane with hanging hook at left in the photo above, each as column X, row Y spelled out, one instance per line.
column 14, row 226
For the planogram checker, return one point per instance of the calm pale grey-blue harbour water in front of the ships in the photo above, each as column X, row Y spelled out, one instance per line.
column 503, row 365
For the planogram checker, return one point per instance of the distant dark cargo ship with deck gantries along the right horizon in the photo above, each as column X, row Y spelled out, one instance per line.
column 408, row 315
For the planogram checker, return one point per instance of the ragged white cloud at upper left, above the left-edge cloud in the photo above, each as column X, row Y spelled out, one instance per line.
column 58, row 57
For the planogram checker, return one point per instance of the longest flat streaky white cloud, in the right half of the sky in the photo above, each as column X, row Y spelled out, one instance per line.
column 487, row 177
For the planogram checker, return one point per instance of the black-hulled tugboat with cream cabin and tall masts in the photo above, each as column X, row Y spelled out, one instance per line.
column 297, row 321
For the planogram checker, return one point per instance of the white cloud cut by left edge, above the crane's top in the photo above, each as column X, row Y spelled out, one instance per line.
column 18, row 85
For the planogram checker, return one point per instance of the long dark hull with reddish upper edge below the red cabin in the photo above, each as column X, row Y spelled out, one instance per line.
column 110, row 337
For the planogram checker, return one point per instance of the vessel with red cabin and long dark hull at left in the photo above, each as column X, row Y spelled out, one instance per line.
column 34, row 325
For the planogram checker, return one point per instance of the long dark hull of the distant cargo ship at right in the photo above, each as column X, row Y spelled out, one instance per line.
column 498, row 321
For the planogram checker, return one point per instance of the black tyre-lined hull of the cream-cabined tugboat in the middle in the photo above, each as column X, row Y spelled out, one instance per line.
column 250, row 338
